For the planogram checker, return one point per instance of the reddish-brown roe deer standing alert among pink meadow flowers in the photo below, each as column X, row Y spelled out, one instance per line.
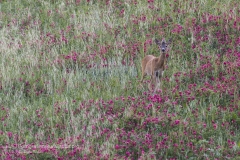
column 155, row 66
